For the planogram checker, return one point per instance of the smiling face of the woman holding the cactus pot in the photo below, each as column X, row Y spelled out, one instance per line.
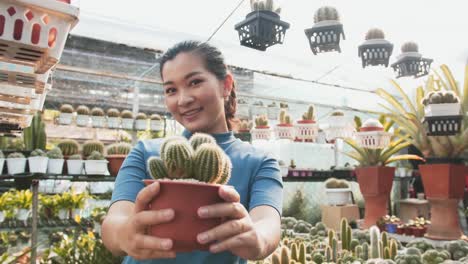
column 193, row 95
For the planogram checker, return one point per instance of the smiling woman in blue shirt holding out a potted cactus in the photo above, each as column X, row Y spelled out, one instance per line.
column 200, row 94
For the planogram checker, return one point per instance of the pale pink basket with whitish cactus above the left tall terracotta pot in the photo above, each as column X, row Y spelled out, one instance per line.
column 372, row 135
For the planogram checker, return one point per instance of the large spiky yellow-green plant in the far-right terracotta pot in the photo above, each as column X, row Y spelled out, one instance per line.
column 408, row 115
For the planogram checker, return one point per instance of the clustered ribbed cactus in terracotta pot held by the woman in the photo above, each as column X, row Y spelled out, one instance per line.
column 190, row 174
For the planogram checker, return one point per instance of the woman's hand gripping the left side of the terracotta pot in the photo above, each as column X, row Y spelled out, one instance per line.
column 134, row 239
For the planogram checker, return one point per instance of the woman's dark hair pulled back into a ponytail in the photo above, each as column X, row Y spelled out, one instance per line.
column 214, row 63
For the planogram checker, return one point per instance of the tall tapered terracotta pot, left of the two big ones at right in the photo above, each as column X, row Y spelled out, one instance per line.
column 375, row 184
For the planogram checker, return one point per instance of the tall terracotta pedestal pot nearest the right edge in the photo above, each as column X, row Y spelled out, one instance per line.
column 444, row 185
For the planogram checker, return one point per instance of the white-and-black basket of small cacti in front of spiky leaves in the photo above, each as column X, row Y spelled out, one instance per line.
column 442, row 114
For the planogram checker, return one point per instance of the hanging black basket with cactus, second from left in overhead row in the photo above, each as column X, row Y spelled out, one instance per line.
column 325, row 35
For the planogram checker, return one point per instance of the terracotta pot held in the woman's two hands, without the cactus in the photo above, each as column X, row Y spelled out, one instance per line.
column 185, row 198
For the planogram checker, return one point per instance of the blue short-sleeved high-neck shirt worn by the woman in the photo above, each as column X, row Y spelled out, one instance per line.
column 255, row 175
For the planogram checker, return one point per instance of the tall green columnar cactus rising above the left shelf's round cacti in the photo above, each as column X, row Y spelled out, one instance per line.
column 35, row 136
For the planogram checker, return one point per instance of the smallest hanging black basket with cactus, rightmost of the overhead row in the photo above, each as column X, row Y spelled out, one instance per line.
column 410, row 62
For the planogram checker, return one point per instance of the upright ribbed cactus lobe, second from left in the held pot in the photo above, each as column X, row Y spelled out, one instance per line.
column 178, row 159
